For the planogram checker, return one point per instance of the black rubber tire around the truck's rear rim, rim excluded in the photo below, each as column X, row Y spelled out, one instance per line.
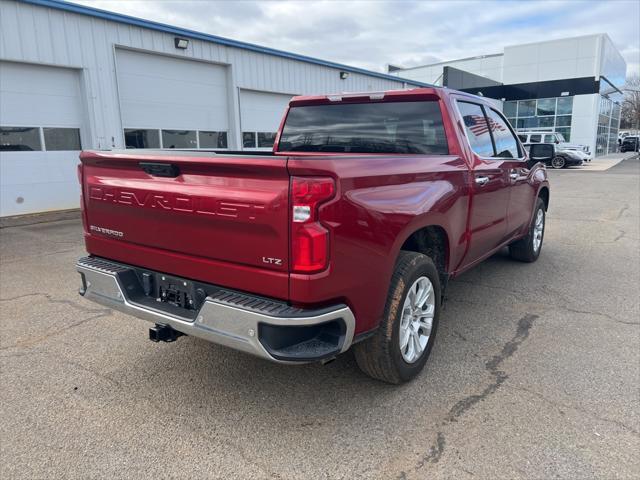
column 379, row 356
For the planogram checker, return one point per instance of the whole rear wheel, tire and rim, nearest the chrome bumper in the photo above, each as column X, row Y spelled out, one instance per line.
column 400, row 347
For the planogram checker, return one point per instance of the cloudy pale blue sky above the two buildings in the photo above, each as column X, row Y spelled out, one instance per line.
column 371, row 34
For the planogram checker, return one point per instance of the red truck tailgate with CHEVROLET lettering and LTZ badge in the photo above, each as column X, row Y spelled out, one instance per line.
column 215, row 218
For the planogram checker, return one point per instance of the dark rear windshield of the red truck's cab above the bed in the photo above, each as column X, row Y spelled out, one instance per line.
column 389, row 127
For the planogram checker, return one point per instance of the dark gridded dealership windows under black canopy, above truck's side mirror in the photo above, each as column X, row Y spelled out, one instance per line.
column 543, row 114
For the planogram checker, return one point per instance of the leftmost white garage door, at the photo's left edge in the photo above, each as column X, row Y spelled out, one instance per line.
column 40, row 118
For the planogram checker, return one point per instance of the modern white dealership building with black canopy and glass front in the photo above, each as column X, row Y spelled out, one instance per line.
column 571, row 86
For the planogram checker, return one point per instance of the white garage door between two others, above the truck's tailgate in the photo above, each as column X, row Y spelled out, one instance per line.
column 169, row 102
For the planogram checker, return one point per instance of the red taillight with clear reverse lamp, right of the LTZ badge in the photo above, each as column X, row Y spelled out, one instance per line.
column 309, row 239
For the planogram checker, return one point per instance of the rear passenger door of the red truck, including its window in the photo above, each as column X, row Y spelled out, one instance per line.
column 490, row 185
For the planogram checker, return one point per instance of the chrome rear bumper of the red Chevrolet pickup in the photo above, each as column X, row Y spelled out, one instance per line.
column 243, row 322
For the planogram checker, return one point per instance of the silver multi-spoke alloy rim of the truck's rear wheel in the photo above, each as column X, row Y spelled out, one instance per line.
column 417, row 319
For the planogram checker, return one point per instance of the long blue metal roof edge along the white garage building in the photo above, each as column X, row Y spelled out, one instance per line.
column 127, row 19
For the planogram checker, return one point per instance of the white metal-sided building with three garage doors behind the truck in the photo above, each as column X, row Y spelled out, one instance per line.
column 73, row 77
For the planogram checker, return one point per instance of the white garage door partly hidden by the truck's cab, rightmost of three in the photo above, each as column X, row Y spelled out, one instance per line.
column 260, row 115
